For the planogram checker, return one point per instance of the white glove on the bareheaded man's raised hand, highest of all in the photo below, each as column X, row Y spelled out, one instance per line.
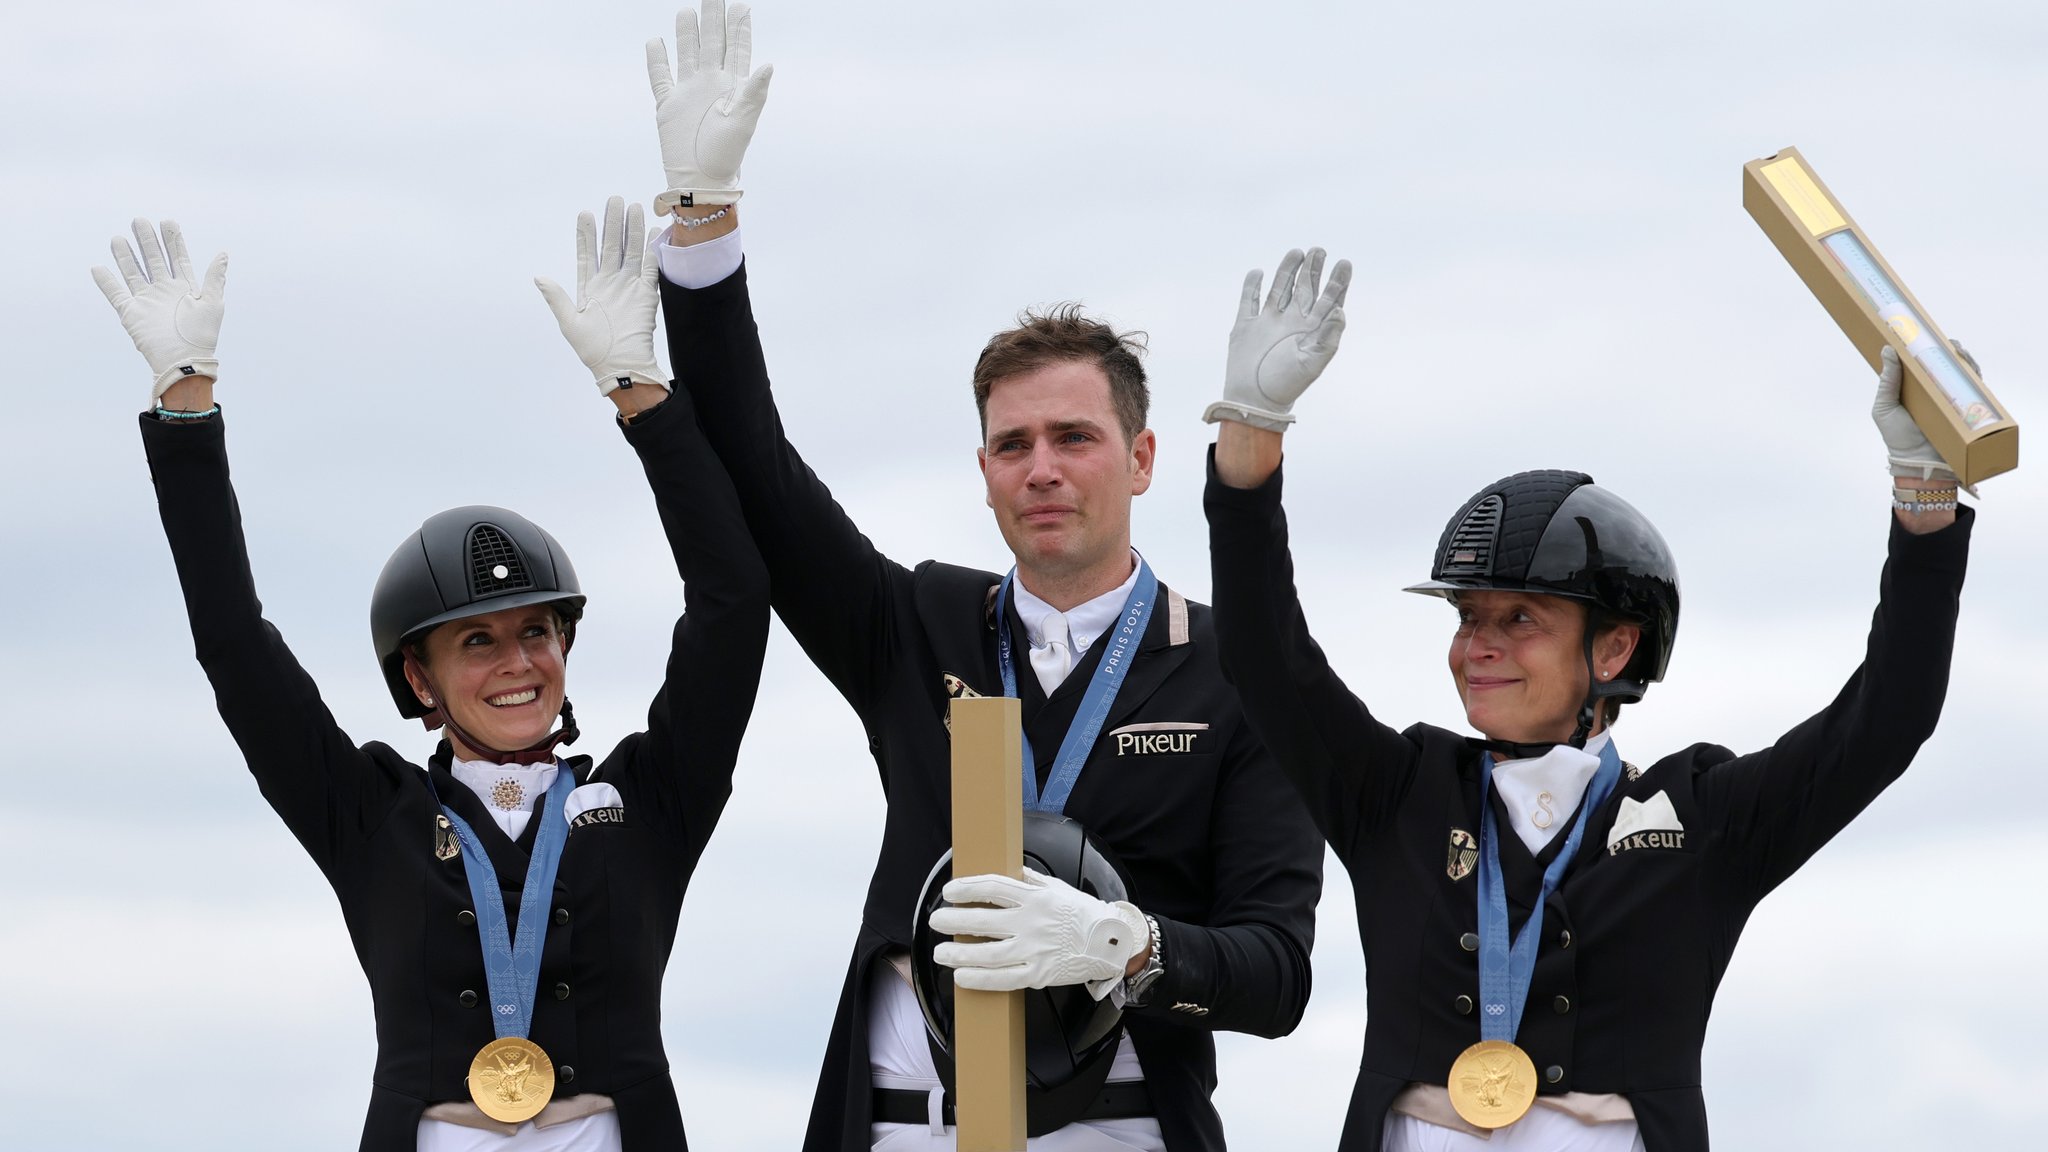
column 708, row 108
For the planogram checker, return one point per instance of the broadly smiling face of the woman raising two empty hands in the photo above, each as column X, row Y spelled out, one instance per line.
column 501, row 675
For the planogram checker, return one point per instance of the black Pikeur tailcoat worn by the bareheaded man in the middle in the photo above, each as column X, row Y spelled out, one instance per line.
column 1218, row 846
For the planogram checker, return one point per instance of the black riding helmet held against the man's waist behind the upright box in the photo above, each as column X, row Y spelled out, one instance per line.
column 1070, row 1038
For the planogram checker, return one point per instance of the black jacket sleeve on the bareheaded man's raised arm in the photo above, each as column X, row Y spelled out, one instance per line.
column 833, row 587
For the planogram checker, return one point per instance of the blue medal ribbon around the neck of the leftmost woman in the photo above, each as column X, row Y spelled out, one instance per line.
column 513, row 960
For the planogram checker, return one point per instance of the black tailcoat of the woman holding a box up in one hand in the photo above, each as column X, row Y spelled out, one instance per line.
column 1639, row 934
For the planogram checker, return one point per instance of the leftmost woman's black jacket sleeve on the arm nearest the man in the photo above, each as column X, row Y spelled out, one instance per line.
column 697, row 721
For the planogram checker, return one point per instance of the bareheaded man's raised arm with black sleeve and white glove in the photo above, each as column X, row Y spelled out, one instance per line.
column 833, row 589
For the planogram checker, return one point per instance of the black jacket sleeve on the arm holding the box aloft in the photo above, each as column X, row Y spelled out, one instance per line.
column 1783, row 805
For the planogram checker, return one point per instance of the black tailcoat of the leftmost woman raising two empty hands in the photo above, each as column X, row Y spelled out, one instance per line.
column 368, row 817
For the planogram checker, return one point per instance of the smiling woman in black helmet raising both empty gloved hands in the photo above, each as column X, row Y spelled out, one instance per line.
column 511, row 909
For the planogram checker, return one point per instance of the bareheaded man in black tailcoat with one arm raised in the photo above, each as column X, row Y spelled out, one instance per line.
column 1224, row 862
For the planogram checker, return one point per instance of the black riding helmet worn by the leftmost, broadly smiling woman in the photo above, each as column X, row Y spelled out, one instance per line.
column 466, row 563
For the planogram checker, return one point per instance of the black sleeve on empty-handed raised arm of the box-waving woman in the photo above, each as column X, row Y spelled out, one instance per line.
column 1351, row 768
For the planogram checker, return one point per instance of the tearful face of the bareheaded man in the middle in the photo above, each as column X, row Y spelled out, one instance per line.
column 1060, row 472
